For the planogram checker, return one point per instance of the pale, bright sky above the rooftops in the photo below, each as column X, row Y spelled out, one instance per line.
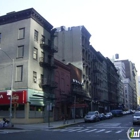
column 113, row 24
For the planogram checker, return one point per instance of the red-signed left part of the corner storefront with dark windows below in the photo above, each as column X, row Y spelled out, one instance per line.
column 19, row 100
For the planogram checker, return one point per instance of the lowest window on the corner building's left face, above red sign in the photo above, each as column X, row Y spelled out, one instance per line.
column 19, row 73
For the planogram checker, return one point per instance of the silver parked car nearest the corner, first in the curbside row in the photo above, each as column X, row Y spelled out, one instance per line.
column 92, row 116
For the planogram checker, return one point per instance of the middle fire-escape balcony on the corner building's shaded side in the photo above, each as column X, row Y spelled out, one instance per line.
column 47, row 64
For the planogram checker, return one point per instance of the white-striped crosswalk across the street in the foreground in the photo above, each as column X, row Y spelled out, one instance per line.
column 89, row 130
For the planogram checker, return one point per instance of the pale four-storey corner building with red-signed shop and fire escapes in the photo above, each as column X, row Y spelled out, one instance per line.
column 26, row 38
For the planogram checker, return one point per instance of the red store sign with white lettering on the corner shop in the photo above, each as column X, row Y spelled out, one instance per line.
column 19, row 97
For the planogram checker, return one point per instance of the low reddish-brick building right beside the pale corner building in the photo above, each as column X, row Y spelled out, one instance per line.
column 62, row 92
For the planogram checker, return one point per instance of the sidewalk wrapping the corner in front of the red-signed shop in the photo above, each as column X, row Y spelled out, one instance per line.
column 51, row 125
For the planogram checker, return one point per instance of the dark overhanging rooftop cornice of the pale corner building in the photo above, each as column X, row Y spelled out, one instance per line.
column 25, row 14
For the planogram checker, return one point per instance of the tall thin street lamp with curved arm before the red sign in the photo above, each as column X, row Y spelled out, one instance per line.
column 10, row 115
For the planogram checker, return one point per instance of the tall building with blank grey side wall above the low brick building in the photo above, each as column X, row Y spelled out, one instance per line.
column 73, row 44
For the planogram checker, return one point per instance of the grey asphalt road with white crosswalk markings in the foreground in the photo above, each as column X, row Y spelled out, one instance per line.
column 112, row 129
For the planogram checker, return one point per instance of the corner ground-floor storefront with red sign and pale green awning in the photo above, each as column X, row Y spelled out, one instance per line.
column 25, row 107
